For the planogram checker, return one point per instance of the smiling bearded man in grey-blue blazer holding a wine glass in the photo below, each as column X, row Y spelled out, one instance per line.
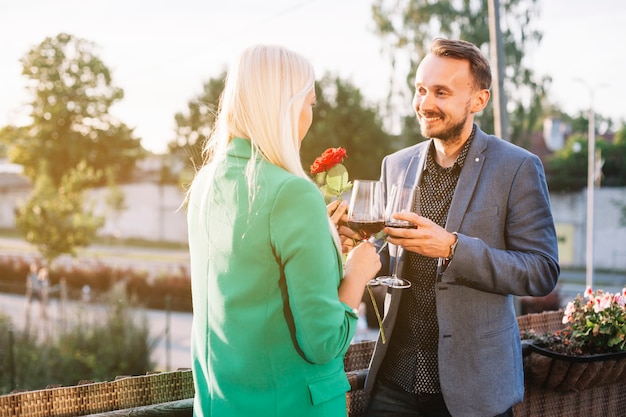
column 485, row 234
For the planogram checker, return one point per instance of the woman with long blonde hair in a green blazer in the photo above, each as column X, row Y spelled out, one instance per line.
column 273, row 315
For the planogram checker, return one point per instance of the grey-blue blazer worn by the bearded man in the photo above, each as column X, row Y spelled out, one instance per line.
column 507, row 246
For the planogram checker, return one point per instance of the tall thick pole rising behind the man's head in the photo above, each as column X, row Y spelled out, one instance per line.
column 497, row 58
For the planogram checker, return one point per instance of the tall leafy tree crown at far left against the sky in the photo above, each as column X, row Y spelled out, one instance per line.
column 71, row 92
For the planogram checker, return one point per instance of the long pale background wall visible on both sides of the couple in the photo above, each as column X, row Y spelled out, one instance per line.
column 153, row 214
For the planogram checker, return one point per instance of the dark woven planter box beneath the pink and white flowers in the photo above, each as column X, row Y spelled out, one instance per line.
column 560, row 372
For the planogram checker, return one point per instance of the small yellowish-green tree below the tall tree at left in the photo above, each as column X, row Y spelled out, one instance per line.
column 55, row 219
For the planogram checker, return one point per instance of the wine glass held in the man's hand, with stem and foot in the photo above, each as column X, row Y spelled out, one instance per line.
column 402, row 198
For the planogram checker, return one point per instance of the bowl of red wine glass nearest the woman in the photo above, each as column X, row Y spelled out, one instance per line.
column 366, row 214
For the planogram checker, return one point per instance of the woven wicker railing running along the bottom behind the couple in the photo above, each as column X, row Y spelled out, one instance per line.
column 171, row 393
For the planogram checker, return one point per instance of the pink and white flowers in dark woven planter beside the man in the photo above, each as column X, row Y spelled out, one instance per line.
column 590, row 348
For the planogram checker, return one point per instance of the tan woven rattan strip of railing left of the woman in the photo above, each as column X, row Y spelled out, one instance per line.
column 82, row 400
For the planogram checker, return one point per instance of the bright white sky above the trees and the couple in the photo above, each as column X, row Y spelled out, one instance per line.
column 162, row 51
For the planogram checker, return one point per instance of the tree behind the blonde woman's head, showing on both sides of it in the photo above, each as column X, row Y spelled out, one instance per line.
column 340, row 118
